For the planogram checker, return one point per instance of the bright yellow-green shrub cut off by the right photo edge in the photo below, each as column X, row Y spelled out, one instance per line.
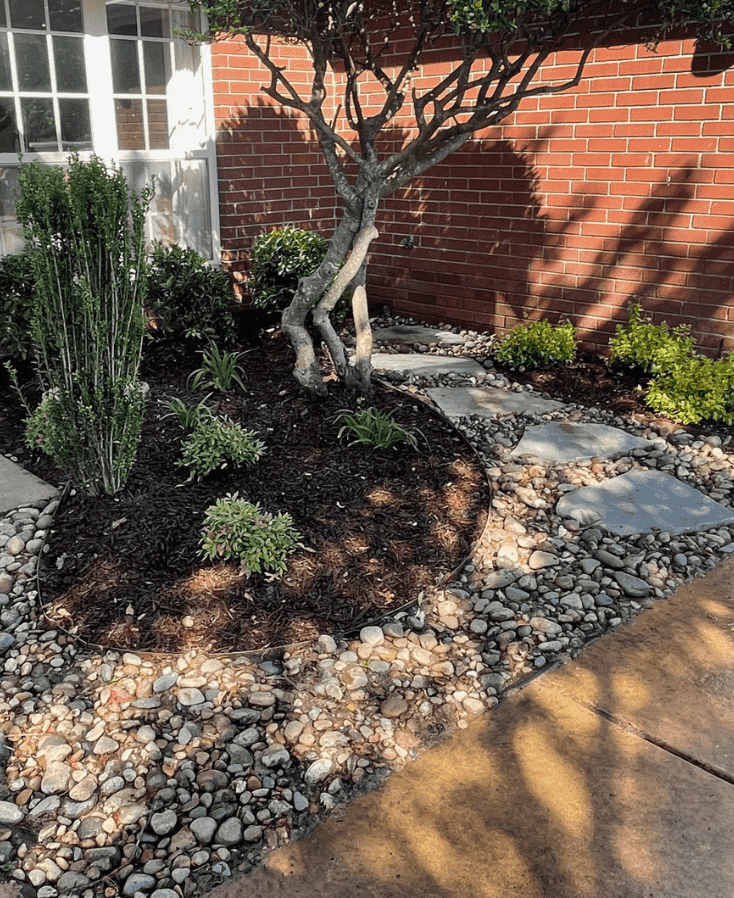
column 693, row 388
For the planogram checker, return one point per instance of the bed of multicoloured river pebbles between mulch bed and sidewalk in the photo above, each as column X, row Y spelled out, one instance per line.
column 215, row 760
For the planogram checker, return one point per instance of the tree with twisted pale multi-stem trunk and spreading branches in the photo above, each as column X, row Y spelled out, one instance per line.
column 367, row 57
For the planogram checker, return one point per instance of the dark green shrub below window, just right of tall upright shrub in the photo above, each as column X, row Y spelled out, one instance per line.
column 187, row 297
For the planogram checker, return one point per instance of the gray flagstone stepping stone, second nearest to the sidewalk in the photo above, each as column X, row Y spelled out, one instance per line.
column 560, row 442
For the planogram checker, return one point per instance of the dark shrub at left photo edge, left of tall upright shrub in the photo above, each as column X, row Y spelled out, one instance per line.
column 16, row 305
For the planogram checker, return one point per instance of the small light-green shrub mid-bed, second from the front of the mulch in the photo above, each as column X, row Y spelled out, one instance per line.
column 215, row 443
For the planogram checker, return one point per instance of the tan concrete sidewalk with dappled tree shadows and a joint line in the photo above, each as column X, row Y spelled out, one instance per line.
column 610, row 777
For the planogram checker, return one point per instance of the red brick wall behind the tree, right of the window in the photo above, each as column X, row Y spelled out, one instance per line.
column 617, row 190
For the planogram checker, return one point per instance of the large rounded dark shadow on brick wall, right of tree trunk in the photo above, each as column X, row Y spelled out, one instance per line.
column 460, row 243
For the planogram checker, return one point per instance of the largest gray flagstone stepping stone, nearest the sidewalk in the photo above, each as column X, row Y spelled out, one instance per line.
column 640, row 501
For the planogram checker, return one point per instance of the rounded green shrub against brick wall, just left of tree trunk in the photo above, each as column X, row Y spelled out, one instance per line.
column 279, row 260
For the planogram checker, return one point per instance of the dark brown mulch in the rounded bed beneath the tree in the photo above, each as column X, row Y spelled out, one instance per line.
column 378, row 526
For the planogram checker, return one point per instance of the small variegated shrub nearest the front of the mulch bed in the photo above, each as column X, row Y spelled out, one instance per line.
column 236, row 530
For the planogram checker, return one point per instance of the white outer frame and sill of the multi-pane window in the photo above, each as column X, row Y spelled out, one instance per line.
column 104, row 126
